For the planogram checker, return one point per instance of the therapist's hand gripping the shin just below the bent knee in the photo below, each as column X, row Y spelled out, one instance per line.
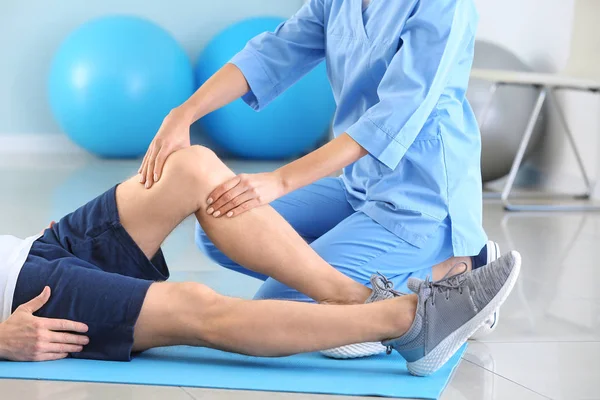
column 243, row 193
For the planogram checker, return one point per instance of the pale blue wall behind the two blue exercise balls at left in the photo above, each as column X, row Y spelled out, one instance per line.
column 32, row 30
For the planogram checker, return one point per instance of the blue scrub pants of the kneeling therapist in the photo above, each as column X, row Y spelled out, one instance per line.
column 348, row 240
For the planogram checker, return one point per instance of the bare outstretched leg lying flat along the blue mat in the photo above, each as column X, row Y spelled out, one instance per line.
column 192, row 314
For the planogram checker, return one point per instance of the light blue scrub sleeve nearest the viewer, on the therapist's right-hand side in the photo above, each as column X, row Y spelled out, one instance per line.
column 434, row 39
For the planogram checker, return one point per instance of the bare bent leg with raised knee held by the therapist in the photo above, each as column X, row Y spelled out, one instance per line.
column 260, row 240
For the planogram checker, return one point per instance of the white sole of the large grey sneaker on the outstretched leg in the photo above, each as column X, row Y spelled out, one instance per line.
column 440, row 355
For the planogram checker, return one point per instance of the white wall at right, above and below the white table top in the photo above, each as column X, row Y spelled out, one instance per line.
column 555, row 36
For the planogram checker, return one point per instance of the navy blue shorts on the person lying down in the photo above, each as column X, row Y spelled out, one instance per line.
column 98, row 276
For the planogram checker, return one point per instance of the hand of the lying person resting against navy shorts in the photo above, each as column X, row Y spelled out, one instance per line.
column 25, row 337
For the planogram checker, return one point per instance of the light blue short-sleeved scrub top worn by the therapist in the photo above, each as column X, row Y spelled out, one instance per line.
column 399, row 73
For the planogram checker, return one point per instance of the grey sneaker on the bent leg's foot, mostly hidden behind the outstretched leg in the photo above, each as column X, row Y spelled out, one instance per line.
column 383, row 289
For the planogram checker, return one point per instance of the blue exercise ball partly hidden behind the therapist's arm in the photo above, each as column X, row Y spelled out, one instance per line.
column 294, row 123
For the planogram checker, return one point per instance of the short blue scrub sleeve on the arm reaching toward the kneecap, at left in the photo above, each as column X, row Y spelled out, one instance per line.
column 274, row 61
